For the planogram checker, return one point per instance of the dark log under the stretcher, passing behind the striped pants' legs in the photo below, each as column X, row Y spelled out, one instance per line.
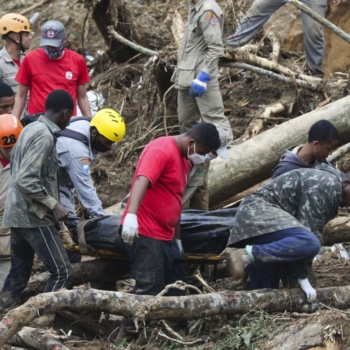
column 98, row 270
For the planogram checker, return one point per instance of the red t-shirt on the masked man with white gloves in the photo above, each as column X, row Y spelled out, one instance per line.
column 166, row 169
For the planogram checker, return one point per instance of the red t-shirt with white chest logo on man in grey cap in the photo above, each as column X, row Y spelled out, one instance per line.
column 43, row 75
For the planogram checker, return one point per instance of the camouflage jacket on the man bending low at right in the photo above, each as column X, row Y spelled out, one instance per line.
column 305, row 198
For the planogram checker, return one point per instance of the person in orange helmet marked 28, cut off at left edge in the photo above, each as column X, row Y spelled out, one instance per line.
column 10, row 128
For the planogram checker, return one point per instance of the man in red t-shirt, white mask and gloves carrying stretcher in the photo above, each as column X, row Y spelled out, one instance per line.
column 153, row 211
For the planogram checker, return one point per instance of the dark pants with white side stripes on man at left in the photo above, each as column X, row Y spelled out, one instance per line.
column 46, row 243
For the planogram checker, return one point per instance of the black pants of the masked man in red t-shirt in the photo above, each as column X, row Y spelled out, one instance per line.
column 155, row 264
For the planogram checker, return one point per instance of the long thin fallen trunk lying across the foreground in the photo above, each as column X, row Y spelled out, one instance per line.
column 144, row 307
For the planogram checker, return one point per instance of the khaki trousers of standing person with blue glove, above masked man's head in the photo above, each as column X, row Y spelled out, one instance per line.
column 208, row 108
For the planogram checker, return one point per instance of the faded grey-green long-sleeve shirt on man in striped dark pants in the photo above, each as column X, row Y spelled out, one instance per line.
column 33, row 189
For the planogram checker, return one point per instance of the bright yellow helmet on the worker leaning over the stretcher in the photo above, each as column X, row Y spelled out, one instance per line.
column 109, row 124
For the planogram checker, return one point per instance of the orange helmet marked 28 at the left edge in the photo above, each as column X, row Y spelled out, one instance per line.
column 10, row 128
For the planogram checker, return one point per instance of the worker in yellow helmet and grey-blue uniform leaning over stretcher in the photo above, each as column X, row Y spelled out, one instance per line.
column 76, row 147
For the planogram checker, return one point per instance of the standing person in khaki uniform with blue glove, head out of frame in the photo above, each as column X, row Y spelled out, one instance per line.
column 196, row 78
